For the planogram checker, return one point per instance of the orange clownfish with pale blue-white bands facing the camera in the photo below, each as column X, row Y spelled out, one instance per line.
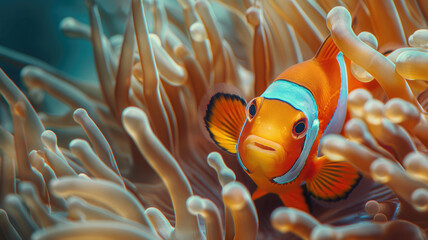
column 276, row 135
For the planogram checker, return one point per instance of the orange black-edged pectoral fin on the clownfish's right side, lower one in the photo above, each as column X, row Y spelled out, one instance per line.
column 333, row 180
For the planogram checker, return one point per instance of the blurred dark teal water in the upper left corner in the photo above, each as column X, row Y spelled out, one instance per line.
column 32, row 28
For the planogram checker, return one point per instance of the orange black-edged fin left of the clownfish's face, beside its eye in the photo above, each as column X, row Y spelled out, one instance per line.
column 224, row 118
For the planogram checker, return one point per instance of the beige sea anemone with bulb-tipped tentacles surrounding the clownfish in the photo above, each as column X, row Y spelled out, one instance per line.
column 127, row 158
